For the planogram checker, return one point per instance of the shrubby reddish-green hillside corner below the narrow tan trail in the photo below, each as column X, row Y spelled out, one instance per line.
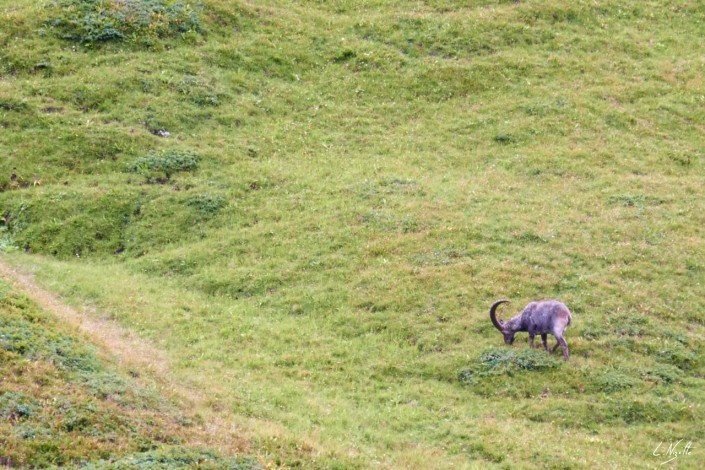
column 62, row 405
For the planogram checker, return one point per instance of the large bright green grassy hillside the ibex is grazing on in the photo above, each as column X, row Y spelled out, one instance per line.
column 310, row 206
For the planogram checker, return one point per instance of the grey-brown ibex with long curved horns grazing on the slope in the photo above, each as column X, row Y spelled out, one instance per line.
column 537, row 318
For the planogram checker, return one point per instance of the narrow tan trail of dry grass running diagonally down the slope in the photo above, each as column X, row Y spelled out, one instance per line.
column 218, row 431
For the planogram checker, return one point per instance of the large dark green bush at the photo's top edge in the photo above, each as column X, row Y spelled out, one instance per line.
column 100, row 21
